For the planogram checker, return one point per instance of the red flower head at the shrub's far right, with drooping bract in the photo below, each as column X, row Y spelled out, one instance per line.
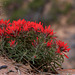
column 62, row 47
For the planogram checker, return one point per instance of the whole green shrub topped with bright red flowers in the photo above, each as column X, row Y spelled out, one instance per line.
column 30, row 42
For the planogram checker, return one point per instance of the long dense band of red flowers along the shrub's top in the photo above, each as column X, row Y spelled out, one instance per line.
column 16, row 27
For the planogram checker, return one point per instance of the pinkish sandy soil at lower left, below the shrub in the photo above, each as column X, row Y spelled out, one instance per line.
column 17, row 68
